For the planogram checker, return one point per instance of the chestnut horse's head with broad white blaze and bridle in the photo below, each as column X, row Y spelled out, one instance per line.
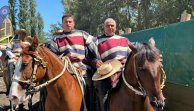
column 26, row 73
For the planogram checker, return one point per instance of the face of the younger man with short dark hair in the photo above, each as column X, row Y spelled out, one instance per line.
column 68, row 24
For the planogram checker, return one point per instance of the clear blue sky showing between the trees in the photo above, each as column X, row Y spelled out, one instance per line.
column 50, row 10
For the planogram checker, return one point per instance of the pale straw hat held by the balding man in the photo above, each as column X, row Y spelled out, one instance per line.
column 107, row 69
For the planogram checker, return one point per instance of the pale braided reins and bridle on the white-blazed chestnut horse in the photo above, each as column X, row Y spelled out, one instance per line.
column 67, row 66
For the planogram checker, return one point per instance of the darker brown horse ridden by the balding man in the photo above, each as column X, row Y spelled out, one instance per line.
column 139, row 88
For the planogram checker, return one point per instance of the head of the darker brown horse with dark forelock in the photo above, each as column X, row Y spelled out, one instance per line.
column 145, row 72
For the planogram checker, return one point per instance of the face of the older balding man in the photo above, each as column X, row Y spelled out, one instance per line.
column 110, row 28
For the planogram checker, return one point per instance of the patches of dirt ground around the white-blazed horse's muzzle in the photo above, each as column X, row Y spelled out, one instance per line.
column 4, row 101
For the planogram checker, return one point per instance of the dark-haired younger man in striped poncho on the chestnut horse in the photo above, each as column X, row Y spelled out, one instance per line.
column 78, row 46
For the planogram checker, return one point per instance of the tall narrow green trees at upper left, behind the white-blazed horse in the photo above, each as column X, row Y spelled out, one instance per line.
column 27, row 17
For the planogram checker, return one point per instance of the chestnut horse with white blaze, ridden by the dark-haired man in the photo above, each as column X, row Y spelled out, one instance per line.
column 37, row 63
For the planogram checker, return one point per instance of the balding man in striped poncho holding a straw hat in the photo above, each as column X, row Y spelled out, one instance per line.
column 113, row 50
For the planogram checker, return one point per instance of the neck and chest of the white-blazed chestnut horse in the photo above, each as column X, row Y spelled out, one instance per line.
column 64, row 90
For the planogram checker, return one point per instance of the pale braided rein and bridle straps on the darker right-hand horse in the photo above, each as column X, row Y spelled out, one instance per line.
column 142, row 92
